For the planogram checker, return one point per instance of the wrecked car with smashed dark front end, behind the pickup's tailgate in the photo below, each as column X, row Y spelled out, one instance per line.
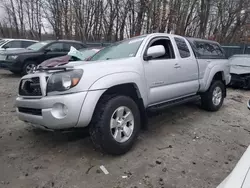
column 240, row 71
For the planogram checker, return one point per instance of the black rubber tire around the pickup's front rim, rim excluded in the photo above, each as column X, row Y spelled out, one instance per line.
column 100, row 131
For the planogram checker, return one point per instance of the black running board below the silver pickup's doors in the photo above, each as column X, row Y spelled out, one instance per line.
column 174, row 103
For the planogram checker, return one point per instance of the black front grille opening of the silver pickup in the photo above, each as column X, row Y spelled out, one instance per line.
column 30, row 87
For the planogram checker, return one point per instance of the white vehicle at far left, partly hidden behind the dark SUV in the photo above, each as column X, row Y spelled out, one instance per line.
column 12, row 44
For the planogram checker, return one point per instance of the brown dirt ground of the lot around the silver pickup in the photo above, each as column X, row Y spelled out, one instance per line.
column 184, row 147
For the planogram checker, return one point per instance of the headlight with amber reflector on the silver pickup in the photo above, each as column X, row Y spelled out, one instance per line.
column 63, row 81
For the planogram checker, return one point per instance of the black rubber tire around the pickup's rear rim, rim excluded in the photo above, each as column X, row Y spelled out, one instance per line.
column 207, row 97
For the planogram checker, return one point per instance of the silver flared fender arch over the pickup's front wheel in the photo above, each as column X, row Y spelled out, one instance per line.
column 115, row 79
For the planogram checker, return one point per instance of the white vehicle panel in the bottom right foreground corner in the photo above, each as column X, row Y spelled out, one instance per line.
column 240, row 176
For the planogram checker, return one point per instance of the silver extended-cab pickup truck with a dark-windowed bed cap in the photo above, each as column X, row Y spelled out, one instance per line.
column 112, row 91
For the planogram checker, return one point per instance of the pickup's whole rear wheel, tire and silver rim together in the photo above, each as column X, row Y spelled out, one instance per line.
column 213, row 99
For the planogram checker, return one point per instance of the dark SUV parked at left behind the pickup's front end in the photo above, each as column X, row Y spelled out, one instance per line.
column 24, row 60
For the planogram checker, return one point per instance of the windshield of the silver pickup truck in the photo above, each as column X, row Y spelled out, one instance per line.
column 123, row 49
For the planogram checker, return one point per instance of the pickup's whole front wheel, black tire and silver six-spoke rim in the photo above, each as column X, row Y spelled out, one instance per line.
column 115, row 125
